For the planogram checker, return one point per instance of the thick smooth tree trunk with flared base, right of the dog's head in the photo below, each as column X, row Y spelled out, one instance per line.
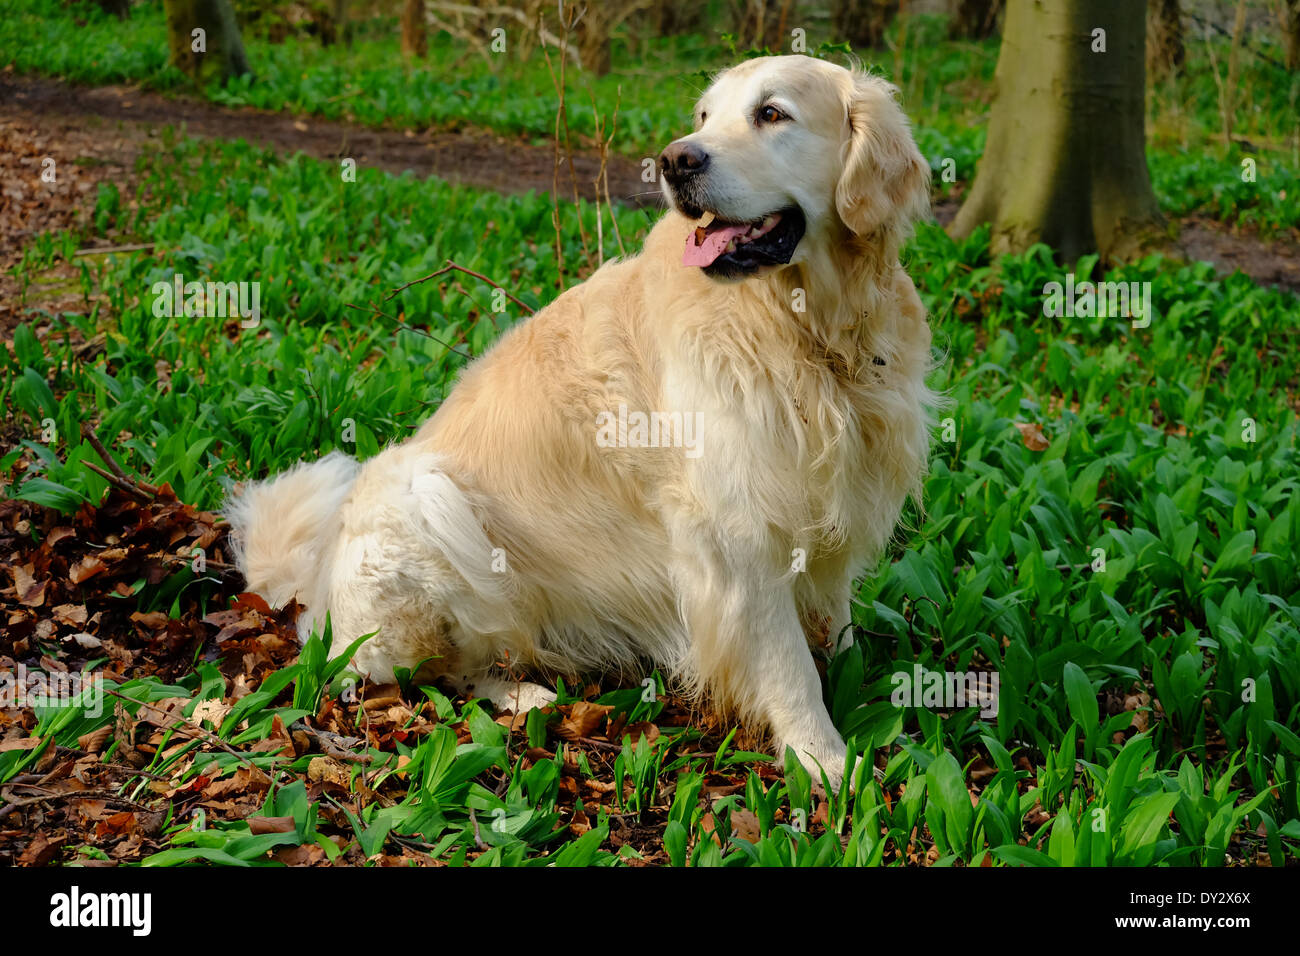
column 1065, row 162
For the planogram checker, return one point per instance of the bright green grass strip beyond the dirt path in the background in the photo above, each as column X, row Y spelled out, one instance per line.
column 947, row 88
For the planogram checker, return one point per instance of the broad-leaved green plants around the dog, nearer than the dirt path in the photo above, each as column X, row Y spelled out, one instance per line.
column 1134, row 583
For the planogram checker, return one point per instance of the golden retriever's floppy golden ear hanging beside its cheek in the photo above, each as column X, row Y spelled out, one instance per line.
column 885, row 184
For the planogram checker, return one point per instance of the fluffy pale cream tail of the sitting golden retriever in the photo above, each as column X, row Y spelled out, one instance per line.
column 283, row 531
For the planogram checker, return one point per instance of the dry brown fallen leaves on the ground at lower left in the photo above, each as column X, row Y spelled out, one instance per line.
column 71, row 600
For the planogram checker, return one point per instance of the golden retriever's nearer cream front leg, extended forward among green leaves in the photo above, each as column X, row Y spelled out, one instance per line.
column 749, row 647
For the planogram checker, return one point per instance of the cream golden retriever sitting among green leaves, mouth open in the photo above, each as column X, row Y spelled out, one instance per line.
column 684, row 461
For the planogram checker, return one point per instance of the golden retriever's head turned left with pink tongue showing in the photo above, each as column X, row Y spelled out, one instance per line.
column 791, row 153
